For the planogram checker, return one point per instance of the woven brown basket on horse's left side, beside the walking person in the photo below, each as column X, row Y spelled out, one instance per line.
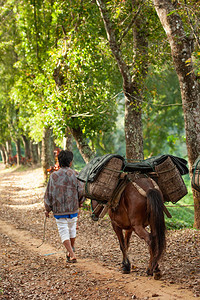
column 103, row 187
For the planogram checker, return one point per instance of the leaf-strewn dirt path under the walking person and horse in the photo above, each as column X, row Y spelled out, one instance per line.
column 32, row 272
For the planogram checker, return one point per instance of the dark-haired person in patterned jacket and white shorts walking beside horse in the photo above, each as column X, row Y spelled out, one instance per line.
column 63, row 195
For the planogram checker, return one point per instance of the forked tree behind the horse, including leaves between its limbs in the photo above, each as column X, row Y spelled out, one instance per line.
column 133, row 67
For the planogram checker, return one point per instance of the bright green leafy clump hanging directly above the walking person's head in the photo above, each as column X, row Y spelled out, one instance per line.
column 85, row 98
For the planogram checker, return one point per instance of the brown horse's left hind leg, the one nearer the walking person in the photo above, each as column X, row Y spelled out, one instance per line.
column 126, row 266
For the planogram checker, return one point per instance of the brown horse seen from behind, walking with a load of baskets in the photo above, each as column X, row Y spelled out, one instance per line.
column 140, row 205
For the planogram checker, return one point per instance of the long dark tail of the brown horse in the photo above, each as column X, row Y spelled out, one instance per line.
column 157, row 223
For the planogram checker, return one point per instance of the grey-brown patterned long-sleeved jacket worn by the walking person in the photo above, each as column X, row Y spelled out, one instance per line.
column 63, row 192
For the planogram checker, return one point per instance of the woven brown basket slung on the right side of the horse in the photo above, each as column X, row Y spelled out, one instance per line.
column 170, row 181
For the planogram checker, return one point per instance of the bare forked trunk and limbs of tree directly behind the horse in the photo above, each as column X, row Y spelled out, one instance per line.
column 132, row 83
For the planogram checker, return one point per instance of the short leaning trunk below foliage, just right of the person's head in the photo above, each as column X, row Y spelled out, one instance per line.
column 82, row 145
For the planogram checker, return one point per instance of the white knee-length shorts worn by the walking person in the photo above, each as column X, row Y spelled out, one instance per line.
column 66, row 228
